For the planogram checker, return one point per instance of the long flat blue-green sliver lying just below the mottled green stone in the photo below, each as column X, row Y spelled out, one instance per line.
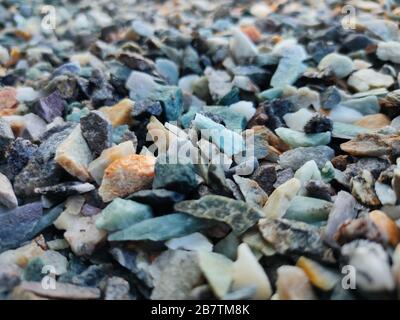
column 161, row 228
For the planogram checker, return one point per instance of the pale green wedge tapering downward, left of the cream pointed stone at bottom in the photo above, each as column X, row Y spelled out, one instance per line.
column 218, row 271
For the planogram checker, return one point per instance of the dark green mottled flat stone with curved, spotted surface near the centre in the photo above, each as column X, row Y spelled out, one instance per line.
column 239, row 215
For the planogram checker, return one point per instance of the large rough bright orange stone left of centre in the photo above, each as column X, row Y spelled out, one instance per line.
column 127, row 175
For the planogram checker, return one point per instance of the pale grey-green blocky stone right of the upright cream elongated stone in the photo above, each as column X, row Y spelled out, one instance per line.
column 308, row 209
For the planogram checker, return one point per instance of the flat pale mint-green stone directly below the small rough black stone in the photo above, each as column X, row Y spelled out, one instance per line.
column 300, row 139
